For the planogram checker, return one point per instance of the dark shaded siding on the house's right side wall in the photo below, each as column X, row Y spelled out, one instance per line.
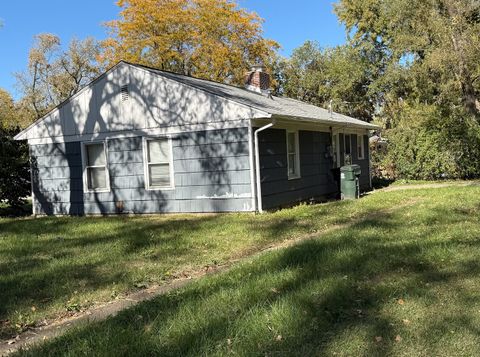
column 316, row 178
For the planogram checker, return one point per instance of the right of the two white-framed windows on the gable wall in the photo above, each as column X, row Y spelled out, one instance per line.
column 158, row 163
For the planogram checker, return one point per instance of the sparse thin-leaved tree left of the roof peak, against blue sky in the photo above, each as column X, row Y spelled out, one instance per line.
column 53, row 74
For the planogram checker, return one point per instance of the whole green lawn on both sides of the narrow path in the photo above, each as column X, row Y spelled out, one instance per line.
column 400, row 276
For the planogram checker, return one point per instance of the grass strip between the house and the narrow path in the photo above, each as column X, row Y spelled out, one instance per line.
column 54, row 266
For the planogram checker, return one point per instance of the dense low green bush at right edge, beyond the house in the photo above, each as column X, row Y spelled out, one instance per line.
column 427, row 144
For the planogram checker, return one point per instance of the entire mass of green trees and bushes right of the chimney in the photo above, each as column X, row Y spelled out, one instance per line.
column 412, row 66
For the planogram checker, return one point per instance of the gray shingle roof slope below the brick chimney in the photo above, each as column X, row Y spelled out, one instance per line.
column 276, row 106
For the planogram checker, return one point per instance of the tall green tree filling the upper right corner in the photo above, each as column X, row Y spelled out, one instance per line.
column 433, row 44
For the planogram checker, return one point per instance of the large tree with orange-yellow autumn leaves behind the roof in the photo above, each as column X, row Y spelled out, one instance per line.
column 211, row 39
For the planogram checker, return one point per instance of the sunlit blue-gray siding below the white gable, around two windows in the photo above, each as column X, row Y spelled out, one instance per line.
column 211, row 174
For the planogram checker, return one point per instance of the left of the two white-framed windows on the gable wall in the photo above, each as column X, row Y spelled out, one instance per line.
column 96, row 167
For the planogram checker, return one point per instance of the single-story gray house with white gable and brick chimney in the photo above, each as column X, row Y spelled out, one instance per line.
column 141, row 140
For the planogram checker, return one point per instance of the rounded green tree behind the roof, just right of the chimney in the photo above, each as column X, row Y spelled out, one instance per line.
column 338, row 76
